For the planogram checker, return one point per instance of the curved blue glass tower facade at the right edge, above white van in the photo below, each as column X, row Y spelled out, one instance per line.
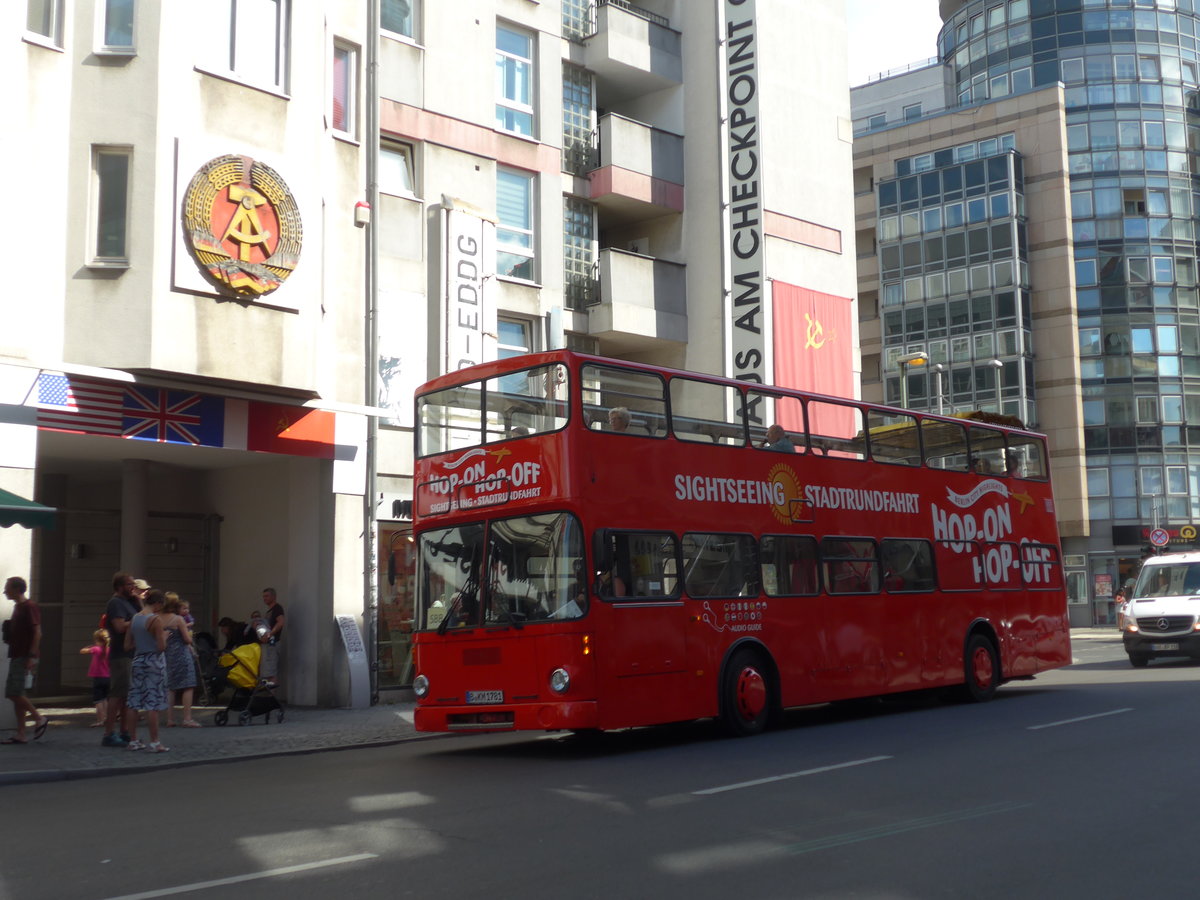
column 1130, row 73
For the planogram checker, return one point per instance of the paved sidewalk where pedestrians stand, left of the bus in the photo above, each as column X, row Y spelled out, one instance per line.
column 71, row 749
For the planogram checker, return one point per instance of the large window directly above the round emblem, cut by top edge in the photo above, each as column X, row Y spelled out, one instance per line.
column 256, row 46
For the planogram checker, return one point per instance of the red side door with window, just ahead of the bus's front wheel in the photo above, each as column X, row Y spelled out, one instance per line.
column 641, row 653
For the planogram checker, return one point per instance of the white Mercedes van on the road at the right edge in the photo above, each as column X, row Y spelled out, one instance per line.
column 1163, row 617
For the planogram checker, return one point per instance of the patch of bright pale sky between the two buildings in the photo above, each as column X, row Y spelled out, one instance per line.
column 886, row 34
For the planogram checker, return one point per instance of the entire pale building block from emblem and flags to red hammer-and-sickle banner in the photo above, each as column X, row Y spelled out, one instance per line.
column 273, row 220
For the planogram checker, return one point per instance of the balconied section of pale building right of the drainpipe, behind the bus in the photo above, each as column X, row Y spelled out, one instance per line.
column 641, row 182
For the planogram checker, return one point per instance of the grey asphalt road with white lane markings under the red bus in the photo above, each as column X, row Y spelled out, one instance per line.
column 1076, row 785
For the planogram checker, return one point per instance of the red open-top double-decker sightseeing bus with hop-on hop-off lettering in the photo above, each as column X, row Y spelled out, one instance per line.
column 604, row 544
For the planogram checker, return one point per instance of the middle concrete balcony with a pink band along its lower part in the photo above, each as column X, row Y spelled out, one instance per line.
column 640, row 172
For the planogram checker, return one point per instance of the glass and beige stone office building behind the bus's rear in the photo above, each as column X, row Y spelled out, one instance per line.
column 944, row 253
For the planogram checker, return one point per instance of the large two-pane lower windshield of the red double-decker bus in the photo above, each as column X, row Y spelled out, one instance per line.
column 524, row 569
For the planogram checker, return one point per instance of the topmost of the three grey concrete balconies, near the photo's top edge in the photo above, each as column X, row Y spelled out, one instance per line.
column 633, row 52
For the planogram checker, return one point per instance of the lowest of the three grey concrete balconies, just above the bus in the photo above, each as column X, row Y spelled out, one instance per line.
column 643, row 303
